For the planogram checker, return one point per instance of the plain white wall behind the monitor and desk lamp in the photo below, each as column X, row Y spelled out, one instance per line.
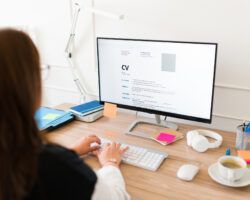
column 221, row 21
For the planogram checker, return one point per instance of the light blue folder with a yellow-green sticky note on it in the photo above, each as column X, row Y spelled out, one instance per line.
column 49, row 118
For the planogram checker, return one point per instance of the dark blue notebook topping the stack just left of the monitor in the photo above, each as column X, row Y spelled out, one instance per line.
column 87, row 108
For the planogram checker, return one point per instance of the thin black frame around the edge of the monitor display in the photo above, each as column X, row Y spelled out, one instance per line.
column 157, row 112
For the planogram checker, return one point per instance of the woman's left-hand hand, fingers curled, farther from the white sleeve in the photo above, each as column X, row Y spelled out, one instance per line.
column 83, row 146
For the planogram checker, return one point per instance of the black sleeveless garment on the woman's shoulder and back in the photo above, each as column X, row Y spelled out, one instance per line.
column 62, row 175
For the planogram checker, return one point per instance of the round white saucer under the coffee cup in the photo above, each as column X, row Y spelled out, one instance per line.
column 214, row 174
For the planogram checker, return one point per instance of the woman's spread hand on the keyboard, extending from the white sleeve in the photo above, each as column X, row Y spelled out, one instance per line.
column 110, row 154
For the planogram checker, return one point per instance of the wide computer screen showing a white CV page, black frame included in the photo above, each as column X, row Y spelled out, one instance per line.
column 168, row 78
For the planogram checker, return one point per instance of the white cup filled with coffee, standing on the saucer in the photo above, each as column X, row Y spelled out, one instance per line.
column 229, row 171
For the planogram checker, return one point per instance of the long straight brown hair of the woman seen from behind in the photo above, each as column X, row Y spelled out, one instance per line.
column 20, row 94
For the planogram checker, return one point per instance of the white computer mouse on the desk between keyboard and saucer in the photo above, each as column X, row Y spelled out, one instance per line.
column 187, row 172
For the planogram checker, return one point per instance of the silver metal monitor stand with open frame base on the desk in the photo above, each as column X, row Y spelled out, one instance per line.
column 157, row 121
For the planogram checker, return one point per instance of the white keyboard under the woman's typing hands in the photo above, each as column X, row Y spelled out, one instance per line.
column 141, row 157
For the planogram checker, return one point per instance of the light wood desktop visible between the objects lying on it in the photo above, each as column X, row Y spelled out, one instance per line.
column 162, row 184
